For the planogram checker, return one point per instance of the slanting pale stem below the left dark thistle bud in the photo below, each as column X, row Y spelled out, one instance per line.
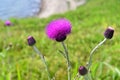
column 43, row 60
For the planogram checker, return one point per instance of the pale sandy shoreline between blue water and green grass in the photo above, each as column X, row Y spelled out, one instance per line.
column 51, row 7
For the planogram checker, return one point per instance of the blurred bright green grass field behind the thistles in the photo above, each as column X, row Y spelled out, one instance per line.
column 20, row 62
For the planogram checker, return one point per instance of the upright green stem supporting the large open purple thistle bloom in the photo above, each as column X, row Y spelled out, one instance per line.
column 68, row 61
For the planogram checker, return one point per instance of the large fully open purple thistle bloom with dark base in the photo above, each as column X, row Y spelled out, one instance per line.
column 58, row 29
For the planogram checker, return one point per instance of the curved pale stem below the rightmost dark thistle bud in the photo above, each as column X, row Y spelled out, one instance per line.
column 92, row 52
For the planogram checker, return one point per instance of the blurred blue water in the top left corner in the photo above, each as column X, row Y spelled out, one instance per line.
column 18, row 8
